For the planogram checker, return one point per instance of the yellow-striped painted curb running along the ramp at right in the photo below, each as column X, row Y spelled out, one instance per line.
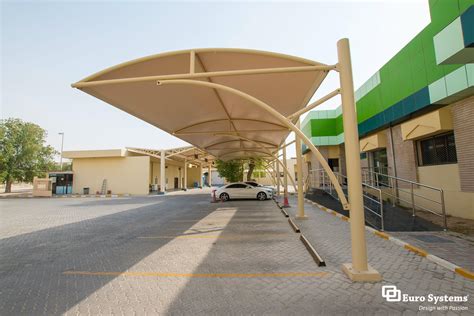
column 440, row 261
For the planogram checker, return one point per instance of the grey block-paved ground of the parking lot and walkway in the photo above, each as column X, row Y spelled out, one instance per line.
column 180, row 254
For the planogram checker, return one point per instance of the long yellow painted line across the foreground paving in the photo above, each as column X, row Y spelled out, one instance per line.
column 201, row 275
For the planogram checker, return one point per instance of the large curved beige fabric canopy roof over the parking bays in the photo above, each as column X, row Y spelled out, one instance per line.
column 200, row 115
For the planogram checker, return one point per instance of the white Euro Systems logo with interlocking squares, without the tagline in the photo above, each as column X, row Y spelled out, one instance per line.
column 392, row 294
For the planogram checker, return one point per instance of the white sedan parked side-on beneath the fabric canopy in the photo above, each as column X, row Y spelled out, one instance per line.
column 241, row 190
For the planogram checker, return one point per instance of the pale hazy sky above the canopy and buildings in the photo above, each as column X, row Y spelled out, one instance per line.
column 46, row 46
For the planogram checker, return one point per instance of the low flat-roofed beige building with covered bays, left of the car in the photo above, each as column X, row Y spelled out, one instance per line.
column 137, row 171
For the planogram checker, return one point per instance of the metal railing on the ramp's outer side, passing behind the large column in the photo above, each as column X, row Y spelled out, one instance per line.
column 373, row 198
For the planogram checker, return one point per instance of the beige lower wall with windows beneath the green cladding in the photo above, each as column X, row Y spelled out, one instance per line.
column 434, row 151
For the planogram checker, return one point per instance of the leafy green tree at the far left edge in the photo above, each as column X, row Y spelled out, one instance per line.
column 23, row 152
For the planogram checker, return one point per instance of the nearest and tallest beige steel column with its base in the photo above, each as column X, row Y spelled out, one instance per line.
column 359, row 270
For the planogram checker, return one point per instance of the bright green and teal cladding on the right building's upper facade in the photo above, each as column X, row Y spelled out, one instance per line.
column 404, row 79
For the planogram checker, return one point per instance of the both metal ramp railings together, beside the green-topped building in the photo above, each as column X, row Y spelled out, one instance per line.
column 386, row 196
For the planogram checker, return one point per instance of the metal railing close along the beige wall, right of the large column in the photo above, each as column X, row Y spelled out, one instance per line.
column 402, row 192
